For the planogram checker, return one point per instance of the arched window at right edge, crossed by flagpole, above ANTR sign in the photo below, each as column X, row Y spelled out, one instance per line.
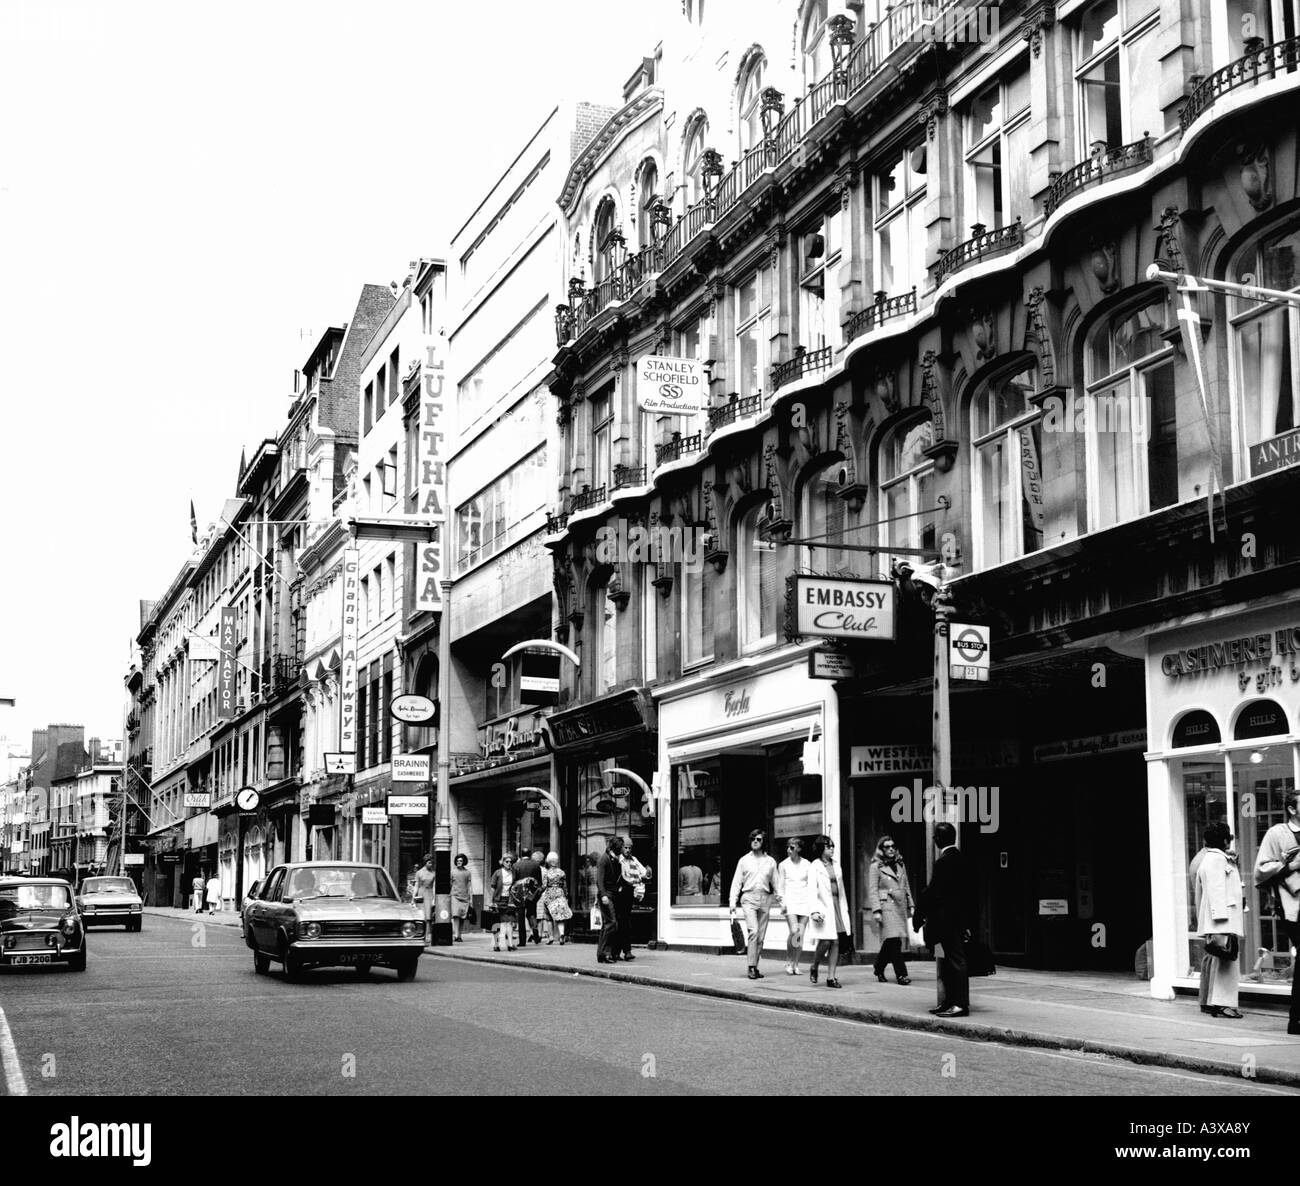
column 1267, row 357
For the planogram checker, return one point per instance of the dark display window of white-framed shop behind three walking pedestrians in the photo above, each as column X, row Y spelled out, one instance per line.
column 718, row 800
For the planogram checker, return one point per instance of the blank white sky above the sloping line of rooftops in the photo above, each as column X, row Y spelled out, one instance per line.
column 190, row 193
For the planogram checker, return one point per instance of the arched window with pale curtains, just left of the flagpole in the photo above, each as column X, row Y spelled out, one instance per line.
column 1130, row 417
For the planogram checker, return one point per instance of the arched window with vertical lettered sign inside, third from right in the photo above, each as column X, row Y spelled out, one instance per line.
column 1008, row 473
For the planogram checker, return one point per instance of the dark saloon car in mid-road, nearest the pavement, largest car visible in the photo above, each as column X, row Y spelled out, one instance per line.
column 331, row 915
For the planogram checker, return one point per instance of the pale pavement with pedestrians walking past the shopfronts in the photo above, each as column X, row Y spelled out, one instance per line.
column 1107, row 1015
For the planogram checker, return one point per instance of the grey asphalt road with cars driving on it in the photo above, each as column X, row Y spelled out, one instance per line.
column 172, row 1012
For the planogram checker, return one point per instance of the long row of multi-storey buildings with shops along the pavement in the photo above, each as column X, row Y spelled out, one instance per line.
column 907, row 250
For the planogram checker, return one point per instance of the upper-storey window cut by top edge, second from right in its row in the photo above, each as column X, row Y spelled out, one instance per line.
column 1117, row 58
